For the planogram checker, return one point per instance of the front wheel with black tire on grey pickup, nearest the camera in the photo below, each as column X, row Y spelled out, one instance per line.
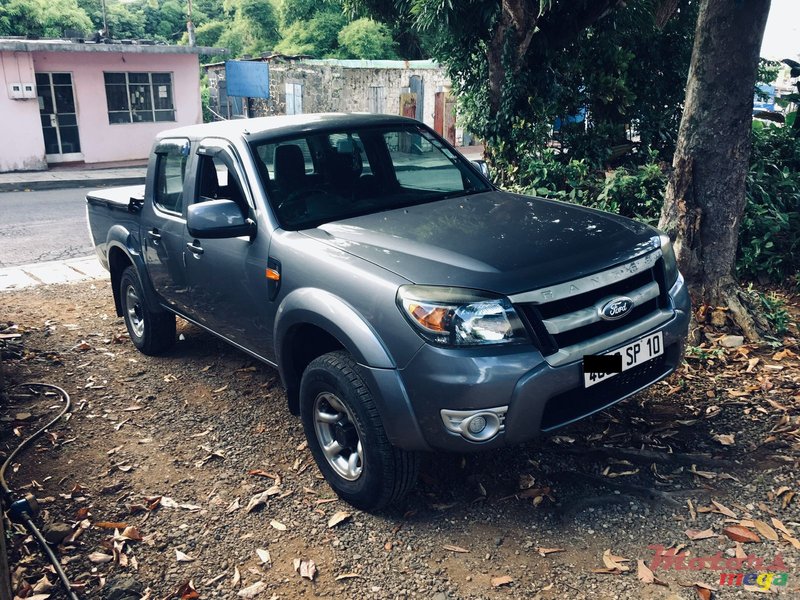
column 346, row 436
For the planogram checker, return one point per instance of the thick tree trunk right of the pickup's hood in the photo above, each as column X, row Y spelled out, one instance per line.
column 705, row 197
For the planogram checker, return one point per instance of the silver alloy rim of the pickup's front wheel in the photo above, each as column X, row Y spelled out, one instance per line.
column 338, row 436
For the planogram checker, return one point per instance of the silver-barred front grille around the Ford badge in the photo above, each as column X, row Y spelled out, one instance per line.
column 564, row 320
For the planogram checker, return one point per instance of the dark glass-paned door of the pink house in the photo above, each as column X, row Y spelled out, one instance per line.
column 59, row 117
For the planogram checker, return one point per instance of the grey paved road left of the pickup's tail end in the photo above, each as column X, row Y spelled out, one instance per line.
column 43, row 226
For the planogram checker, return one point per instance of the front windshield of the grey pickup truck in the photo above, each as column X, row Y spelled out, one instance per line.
column 318, row 177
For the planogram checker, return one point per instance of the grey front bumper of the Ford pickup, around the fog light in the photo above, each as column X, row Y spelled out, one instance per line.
column 539, row 397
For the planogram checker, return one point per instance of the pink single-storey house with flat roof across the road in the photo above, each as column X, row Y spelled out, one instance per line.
column 81, row 102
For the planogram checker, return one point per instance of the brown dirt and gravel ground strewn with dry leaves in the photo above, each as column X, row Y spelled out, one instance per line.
column 156, row 470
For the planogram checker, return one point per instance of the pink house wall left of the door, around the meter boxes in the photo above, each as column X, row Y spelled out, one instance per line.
column 22, row 145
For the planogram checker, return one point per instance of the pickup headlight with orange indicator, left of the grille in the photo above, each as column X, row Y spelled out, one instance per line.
column 460, row 317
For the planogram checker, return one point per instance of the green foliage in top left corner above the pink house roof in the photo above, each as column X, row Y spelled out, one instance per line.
column 42, row 18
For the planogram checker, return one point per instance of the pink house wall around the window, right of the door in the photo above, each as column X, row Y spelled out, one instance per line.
column 101, row 141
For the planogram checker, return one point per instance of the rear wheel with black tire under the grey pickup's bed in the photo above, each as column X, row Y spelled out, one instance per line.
column 152, row 332
